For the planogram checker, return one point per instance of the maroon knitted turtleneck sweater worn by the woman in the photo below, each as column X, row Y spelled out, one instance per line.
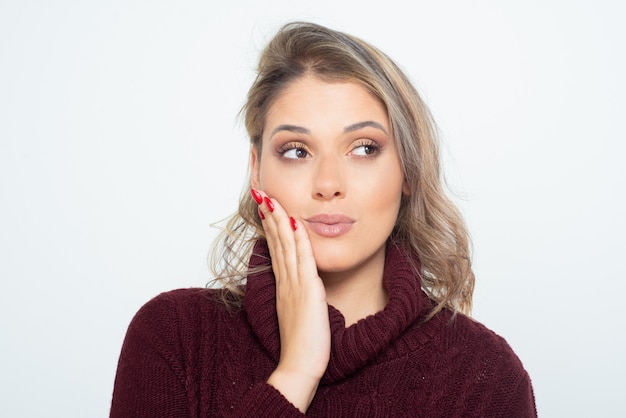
column 186, row 355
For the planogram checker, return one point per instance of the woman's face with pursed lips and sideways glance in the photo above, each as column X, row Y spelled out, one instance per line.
column 328, row 158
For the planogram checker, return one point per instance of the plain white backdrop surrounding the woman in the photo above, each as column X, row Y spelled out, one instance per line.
column 120, row 145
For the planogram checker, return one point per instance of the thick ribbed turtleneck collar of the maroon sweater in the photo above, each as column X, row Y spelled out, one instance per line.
column 357, row 345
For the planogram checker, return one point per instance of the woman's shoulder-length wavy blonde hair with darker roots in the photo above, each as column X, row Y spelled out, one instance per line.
column 428, row 223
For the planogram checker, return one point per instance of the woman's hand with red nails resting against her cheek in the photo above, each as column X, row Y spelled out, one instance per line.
column 300, row 305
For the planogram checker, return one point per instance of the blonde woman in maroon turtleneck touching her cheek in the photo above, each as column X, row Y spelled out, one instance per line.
column 345, row 277
